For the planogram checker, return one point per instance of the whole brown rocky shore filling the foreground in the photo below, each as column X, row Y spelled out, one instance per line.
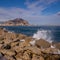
column 21, row 47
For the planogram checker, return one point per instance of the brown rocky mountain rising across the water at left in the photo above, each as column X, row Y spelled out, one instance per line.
column 16, row 22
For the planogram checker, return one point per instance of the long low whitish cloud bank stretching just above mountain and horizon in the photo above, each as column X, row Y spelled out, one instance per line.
column 11, row 13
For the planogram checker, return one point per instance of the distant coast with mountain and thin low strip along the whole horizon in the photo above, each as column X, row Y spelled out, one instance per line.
column 20, row 22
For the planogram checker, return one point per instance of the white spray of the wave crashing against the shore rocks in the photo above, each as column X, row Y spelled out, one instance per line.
column 43, row 34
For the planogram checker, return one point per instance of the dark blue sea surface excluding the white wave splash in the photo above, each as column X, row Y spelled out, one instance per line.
column 31, row 30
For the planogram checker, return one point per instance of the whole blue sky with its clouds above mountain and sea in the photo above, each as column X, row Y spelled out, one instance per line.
column 41, row 12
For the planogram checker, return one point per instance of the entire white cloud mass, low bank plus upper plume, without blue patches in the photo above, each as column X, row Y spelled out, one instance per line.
column 32, row 13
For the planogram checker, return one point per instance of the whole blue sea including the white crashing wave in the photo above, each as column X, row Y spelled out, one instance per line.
column 49, row 33
